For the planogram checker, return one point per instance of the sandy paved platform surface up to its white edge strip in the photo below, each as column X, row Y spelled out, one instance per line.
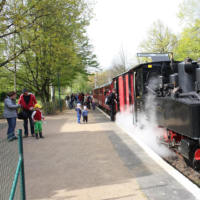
column 94, row 161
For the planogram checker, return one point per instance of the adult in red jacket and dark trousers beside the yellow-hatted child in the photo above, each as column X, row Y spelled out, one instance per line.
column 27, row 101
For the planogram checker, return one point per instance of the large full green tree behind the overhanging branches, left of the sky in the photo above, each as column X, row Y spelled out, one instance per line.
column 61, row 46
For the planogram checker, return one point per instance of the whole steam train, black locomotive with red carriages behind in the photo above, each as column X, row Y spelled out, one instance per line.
column 175, row 86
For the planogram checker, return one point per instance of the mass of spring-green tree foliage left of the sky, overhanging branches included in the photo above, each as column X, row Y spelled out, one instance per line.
column 45, row 39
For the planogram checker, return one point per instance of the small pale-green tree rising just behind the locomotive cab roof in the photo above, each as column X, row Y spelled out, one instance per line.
column 159, row 40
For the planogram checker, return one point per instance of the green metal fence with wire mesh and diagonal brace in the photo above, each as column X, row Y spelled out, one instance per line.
column 12, row 181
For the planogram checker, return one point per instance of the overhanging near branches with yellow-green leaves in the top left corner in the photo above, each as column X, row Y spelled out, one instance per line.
column 16, row 17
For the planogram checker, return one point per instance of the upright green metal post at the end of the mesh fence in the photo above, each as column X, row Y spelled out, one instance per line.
column 22, row 175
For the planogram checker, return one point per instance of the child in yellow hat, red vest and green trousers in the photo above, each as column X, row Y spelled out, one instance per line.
column 37, row 118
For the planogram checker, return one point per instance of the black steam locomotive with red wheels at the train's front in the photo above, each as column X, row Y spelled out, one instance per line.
column 177, row 105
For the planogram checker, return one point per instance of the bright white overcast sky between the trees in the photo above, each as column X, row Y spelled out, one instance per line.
column 124, row 24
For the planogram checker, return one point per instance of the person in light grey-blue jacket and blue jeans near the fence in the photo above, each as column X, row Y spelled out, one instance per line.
column 10, row 113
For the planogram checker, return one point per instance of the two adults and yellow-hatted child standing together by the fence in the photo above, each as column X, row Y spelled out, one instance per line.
column 30, row 110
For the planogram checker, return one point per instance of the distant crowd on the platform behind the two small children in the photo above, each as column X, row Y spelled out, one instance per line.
column 74, row 99
